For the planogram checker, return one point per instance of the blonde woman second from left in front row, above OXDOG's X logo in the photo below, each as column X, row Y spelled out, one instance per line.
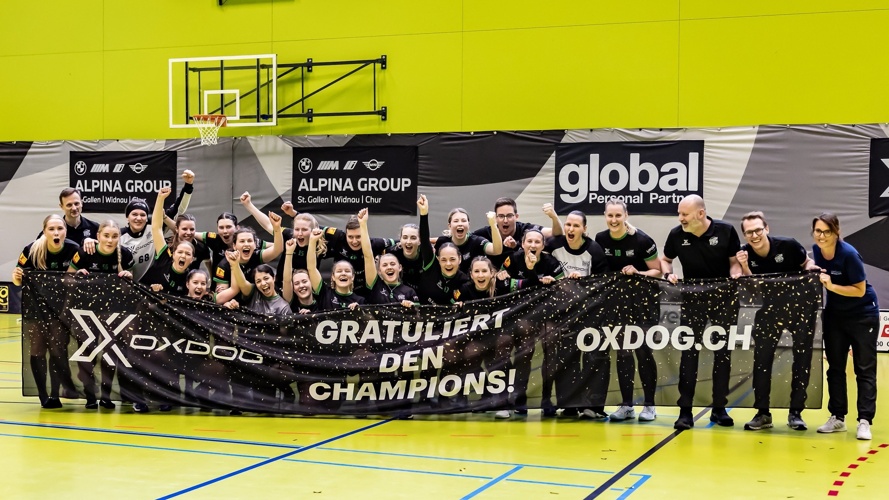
column 109, row 257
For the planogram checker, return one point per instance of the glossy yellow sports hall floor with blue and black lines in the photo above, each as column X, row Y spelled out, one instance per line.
column 76, row 453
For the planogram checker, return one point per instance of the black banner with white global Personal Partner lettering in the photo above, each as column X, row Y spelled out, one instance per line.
column 650, row 177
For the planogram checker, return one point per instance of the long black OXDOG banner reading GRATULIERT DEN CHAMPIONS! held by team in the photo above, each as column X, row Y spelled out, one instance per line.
column 537, row 347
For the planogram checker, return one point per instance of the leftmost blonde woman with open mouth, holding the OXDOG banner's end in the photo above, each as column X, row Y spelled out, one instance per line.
column 50, row 252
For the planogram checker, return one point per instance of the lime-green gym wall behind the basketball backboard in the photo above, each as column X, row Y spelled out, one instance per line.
column 97, row 69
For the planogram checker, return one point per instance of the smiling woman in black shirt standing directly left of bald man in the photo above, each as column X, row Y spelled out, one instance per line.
column 632, row 252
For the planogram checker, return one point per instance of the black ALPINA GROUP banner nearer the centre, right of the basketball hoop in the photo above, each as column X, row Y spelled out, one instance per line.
column 345, row 180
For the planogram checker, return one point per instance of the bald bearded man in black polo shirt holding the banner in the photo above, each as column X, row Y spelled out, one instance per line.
column 707, row 248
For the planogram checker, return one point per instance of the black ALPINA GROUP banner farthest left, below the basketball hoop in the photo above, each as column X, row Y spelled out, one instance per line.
column 109, row 180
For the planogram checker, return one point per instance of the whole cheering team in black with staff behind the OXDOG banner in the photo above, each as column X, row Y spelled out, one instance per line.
column 505, row 255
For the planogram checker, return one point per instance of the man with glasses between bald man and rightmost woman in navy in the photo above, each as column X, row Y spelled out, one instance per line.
column 762, row 254
